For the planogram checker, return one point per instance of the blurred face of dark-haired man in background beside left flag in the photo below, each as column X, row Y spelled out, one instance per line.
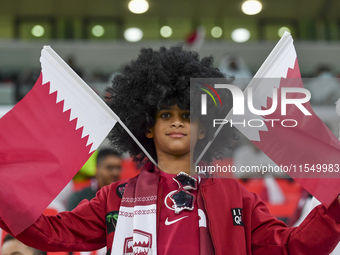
column 108, row 170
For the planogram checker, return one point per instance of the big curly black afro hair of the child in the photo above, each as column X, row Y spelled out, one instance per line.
column 154, row 80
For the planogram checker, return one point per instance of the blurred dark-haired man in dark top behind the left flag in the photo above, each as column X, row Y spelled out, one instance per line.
column 108, row 169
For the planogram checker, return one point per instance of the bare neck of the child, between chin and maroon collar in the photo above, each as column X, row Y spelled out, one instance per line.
column 173, row 164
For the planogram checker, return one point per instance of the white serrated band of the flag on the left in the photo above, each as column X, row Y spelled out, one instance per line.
column 96, row 118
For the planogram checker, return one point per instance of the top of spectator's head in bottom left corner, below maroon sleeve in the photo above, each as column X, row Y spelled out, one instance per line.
column 12, row 246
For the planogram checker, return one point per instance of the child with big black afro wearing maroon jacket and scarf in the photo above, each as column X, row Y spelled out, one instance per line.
column 164, row 210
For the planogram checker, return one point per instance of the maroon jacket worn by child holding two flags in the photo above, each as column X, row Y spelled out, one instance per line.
column 88, row 226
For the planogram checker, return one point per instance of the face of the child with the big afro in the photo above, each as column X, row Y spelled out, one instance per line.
column 173, row 130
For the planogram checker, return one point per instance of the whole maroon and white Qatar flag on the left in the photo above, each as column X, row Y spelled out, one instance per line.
column 46, row 138
